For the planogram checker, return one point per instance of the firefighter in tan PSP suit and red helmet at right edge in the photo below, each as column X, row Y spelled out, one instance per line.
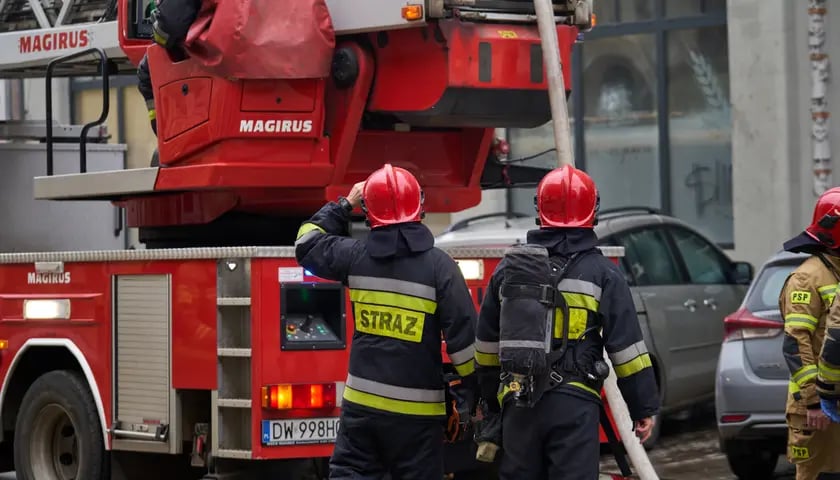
column 806, row 296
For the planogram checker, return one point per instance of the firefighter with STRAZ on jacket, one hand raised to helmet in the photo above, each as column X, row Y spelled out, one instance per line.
column 404, row 293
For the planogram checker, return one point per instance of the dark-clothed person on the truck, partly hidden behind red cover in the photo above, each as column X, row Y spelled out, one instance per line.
column 171, row 20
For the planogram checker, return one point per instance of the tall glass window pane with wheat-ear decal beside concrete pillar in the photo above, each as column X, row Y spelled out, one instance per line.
column 700, row 130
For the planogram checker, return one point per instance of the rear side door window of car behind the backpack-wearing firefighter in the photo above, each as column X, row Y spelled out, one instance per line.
column 648, row 257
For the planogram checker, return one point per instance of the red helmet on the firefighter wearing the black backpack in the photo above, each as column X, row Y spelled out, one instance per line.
column 567, row 197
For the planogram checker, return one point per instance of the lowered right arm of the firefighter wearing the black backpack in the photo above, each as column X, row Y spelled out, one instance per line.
column 625, row 346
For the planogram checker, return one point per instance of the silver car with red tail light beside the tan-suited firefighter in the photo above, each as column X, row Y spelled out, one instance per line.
column 752, row 377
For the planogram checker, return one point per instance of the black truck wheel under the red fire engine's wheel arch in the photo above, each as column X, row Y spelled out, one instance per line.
column 58, row 435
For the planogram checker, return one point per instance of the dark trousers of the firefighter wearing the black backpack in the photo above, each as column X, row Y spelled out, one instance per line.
column 557, row 438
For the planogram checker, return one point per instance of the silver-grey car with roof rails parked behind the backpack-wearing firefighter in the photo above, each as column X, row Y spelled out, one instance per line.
column 682, row 284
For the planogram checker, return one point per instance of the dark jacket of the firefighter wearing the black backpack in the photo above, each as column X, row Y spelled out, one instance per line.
column 597, row 295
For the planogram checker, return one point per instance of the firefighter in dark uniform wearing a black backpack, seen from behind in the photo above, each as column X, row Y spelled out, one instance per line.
column 557, row 436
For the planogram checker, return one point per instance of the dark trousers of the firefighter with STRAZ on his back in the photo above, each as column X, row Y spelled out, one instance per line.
column 371, row 445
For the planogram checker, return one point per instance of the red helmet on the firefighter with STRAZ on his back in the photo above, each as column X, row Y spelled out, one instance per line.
column 392, row 195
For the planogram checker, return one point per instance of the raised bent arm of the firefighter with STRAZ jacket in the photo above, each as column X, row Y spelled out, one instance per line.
column 323, row 246
